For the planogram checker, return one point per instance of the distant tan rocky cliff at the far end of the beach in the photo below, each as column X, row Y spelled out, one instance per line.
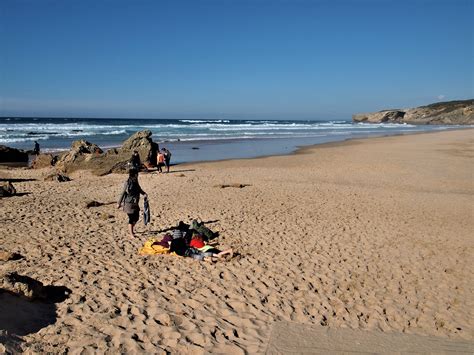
column 451, row 112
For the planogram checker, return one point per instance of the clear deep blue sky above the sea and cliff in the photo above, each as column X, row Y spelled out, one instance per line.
column 260, row 59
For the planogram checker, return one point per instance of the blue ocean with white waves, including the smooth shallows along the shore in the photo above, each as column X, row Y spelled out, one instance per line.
column 196, row 140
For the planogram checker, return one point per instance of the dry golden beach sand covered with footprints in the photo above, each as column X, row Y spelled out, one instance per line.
column 369, row 234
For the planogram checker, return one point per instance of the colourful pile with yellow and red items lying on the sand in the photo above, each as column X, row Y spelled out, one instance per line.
column 186, row 240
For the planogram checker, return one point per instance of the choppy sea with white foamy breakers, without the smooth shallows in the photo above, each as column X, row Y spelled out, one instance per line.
column 60, row 134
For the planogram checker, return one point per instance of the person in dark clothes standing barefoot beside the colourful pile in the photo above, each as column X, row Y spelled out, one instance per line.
column 129, row 199
